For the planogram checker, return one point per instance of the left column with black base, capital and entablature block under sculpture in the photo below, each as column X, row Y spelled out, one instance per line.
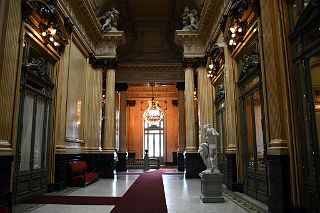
column 105, row 59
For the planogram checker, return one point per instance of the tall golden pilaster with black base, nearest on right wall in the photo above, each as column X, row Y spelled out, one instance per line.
column 283, row 170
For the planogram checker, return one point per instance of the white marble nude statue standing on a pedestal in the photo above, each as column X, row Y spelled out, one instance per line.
column 208, row 150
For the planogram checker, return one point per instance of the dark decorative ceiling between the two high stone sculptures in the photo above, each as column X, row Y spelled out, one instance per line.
column 149, row 27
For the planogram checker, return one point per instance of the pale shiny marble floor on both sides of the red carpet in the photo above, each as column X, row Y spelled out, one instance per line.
column 182, row 195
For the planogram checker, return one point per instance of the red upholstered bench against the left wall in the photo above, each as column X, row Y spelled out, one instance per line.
column 79, row 174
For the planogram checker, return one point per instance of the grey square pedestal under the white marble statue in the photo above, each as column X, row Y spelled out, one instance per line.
column 211, row 188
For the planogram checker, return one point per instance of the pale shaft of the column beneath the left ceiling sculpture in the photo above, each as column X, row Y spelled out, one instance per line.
column 109, row 133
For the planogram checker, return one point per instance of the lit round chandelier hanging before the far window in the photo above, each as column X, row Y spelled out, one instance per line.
column 154, row 113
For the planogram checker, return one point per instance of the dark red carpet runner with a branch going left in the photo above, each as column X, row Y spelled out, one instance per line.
column 145, row 195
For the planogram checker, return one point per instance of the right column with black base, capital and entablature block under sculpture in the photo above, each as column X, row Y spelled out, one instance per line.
column 194, row 51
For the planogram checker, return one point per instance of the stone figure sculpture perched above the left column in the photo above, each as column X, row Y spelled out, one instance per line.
column 109, row 21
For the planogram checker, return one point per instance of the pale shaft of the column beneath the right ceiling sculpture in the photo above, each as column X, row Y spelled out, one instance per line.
column 191, row 146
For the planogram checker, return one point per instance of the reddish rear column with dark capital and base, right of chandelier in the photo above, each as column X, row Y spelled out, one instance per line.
column 182, row 126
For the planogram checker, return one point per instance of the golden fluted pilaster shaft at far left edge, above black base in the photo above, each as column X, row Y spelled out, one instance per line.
column 9, row 73
